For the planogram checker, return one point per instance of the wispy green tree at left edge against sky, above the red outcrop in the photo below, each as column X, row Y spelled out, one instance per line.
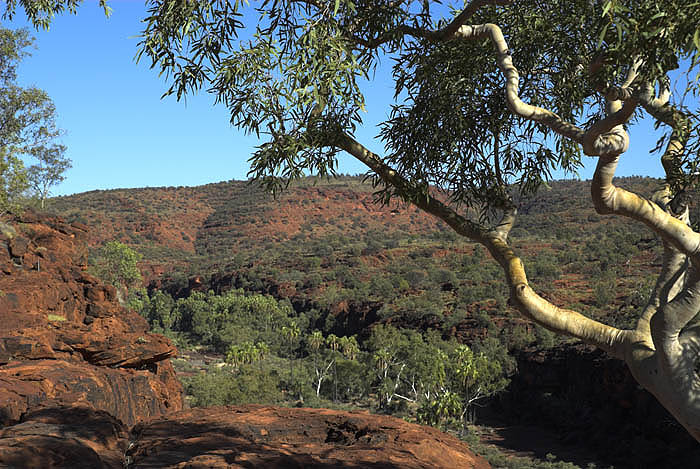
column 27, row 131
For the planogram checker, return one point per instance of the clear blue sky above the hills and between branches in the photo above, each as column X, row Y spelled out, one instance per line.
column 119, row 133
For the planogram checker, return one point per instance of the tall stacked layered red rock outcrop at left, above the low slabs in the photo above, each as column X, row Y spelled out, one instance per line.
column 64, row 338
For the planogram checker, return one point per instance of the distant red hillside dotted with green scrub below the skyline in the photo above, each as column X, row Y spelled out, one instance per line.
column 328, row 244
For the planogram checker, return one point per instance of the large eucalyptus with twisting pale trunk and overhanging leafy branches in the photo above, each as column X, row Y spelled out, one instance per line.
column 491, row 96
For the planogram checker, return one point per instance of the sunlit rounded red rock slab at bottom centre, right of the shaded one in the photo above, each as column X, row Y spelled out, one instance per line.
column 273, row 437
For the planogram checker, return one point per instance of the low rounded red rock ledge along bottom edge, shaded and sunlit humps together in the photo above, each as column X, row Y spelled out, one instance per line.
column 231, row 437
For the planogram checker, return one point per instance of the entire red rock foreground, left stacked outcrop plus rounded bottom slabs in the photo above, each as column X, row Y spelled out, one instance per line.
column 84, row 385
